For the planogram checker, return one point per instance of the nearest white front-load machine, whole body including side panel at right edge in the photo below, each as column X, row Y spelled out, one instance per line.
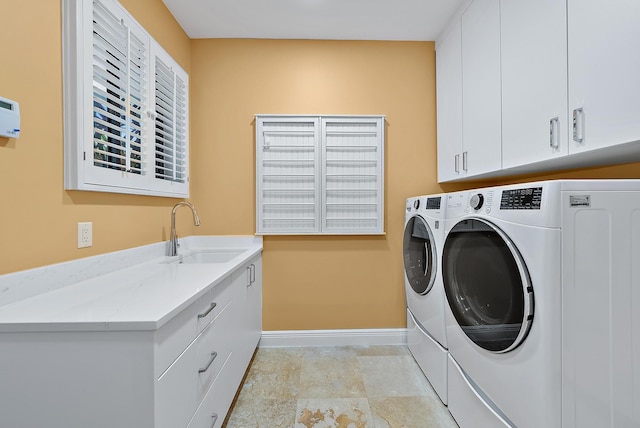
column 539, row 324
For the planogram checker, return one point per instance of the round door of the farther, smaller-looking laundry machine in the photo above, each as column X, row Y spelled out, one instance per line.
column 419, row 255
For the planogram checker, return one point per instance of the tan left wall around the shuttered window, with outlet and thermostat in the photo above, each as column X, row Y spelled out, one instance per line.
column 37, row 216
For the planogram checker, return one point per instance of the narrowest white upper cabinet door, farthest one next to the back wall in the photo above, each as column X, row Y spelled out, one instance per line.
column 449, row 102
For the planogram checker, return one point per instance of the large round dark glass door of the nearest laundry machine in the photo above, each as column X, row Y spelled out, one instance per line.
column 487, row 285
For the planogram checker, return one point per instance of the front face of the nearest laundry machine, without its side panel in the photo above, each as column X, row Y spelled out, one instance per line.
column 501, row 274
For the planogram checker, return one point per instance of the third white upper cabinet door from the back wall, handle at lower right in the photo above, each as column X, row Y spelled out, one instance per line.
column 534, row 81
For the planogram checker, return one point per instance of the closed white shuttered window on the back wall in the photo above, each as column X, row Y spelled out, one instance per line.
column 319, row 174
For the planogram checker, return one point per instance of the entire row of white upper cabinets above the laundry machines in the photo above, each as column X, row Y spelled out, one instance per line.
column 545, row 85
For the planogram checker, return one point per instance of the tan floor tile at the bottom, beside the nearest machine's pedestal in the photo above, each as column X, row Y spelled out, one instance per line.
column 410, row 412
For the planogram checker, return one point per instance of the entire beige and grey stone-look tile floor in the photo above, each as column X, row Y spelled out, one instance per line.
column 337, row 387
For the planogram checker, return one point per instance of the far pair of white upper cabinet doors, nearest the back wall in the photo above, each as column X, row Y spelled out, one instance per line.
column 468, row 93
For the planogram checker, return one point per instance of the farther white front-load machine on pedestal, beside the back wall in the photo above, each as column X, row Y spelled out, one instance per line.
column 422, row 248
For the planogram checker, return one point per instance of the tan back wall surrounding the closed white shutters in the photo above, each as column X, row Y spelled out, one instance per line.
column 314, row 282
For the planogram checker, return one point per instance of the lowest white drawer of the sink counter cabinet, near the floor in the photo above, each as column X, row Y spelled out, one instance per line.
column 217, row 401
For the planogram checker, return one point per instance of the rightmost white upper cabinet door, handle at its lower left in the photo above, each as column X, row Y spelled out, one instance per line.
column 604, row 73
